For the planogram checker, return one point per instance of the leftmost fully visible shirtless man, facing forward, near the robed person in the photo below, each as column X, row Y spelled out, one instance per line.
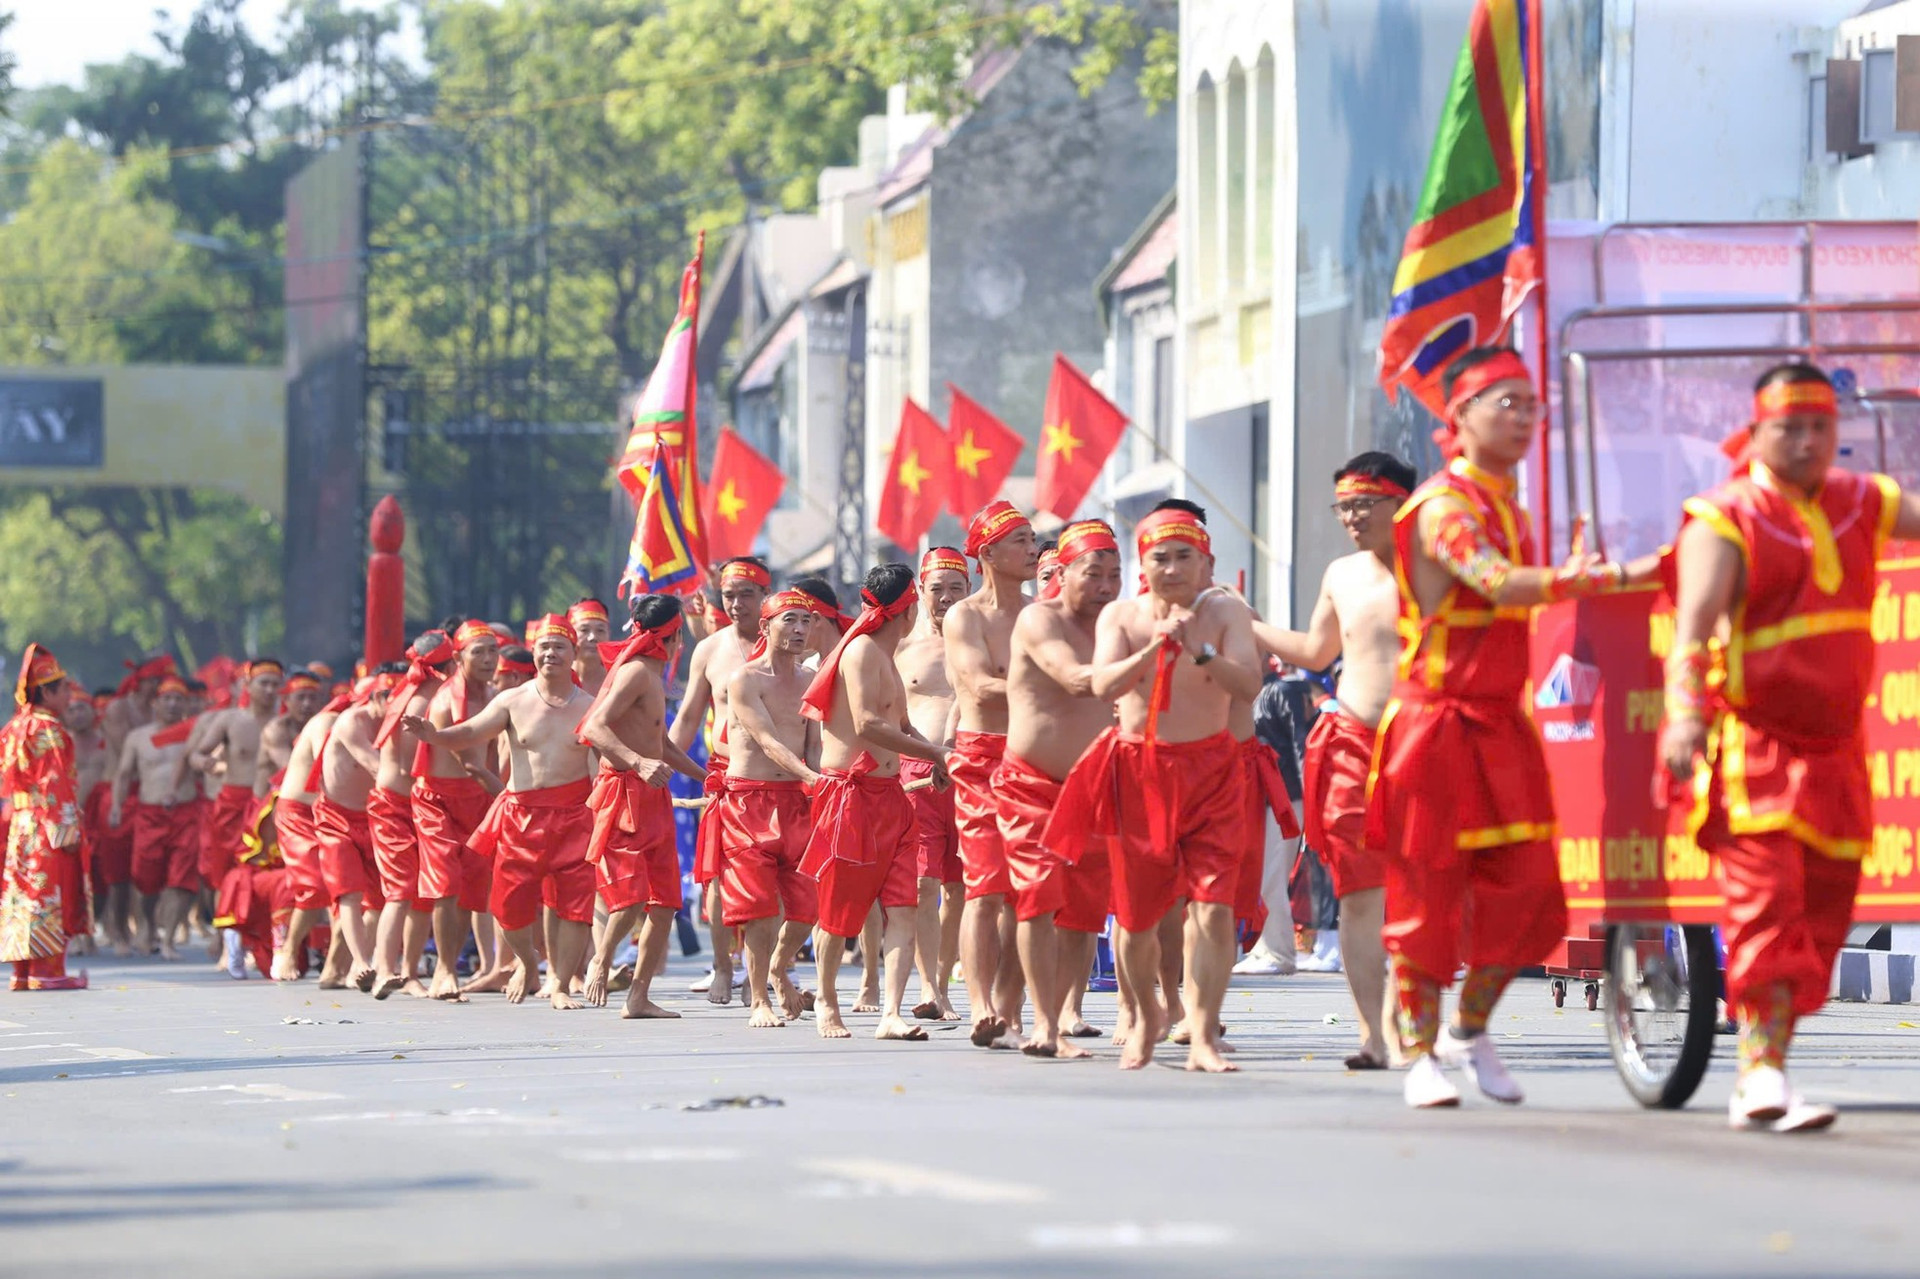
column 166, row 838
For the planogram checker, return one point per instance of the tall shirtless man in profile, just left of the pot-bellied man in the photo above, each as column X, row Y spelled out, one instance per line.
column 978, row 633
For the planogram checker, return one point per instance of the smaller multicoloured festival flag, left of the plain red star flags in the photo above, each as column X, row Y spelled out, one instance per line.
column 661, row 462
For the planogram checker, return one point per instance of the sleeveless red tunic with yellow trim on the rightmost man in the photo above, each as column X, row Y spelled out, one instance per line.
column 1790, row 750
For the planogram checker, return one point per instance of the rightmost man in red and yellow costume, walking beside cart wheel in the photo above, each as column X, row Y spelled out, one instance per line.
column 1785, row 558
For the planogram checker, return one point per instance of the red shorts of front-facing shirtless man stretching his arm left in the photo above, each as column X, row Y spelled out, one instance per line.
column 542, row 856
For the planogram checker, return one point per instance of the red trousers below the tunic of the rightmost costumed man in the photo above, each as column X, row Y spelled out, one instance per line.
column 1788, row 911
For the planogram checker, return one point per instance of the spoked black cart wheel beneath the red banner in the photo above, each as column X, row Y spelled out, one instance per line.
column 1662, row 990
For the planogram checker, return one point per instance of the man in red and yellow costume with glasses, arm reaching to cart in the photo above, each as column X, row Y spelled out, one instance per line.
column 1460, row 790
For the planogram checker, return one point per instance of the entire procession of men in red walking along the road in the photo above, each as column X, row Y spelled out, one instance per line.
column 997, row 760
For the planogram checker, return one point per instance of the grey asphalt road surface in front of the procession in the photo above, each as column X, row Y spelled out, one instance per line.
column 172, row 1122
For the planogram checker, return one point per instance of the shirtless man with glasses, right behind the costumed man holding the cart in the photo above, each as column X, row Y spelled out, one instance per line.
column 1356, row 617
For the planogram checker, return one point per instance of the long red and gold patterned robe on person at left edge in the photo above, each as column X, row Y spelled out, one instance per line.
column 37, row 896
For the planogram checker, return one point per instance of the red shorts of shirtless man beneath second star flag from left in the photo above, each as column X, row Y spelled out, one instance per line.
column 861, row 848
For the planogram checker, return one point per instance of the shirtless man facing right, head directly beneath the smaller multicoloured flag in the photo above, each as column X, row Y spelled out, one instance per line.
column 636, row 848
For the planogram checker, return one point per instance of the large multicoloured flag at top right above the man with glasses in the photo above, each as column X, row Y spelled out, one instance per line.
column 1477, row 247
